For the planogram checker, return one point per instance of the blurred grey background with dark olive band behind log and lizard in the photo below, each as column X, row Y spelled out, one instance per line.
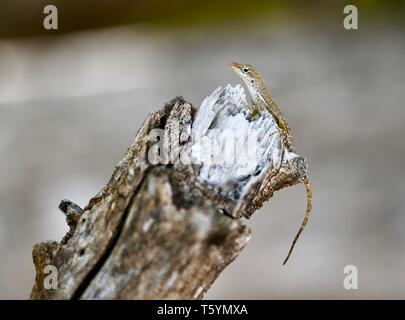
column 72, row 99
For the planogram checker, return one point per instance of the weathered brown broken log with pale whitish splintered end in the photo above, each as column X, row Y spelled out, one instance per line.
column 169, row 220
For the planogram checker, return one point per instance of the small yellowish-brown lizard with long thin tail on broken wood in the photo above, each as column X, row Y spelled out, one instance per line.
column 263, row 101
